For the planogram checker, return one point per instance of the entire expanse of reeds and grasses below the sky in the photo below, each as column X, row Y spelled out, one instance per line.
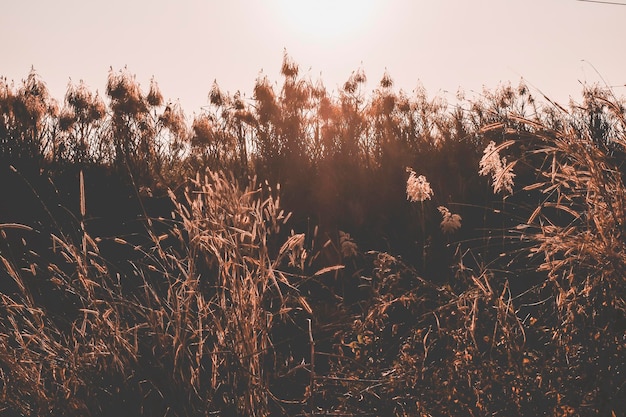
column 306, row 252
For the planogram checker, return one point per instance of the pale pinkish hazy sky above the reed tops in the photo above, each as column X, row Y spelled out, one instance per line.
column 442, row 45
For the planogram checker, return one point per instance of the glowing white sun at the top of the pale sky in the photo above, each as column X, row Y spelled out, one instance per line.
column 323, row 20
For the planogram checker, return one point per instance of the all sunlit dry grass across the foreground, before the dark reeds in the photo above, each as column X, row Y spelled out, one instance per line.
column 196, row 320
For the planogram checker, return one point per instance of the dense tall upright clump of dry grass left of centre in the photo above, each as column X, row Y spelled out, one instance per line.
column 225, row 292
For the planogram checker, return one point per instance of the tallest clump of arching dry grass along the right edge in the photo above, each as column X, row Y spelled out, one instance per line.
column 575, row 236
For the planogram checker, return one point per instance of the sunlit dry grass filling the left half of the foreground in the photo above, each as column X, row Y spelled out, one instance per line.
column 183, row 328
